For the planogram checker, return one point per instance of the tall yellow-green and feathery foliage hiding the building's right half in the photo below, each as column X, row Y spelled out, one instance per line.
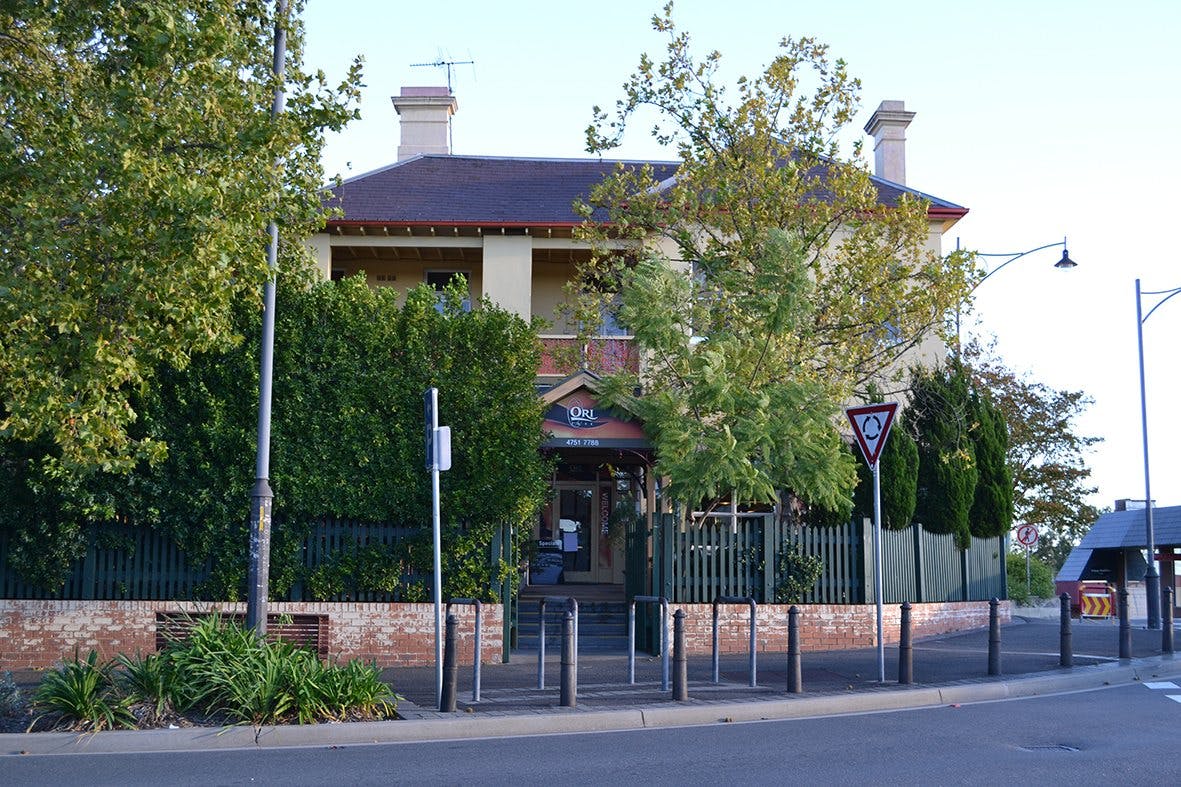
column 765, row 283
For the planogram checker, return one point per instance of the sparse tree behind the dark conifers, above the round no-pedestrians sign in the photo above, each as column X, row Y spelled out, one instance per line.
column 1047, row 457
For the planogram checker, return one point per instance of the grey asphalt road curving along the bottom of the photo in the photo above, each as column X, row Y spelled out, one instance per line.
column 1110, row 737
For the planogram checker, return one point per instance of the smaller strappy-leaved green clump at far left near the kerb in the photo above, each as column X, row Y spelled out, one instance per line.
column 82, row 695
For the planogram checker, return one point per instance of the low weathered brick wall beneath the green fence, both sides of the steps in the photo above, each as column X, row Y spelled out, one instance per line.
column 36, row 634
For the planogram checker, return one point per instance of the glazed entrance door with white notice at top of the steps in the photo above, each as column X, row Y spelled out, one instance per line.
column 579, row 516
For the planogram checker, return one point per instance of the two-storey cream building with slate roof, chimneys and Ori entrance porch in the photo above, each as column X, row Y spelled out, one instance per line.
column 507, row 226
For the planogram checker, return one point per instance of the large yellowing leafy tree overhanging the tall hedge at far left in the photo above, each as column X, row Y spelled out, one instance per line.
column 138, row 177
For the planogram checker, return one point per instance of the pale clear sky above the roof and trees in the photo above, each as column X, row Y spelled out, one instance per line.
column 1047, row 119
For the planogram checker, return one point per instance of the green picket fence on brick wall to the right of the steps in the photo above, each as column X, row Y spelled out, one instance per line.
column 726, row 556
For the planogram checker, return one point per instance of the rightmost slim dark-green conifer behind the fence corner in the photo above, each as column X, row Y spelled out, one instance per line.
column 993, row 506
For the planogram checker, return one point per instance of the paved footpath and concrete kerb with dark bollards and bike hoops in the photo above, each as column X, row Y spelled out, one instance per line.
column 950, row 669
